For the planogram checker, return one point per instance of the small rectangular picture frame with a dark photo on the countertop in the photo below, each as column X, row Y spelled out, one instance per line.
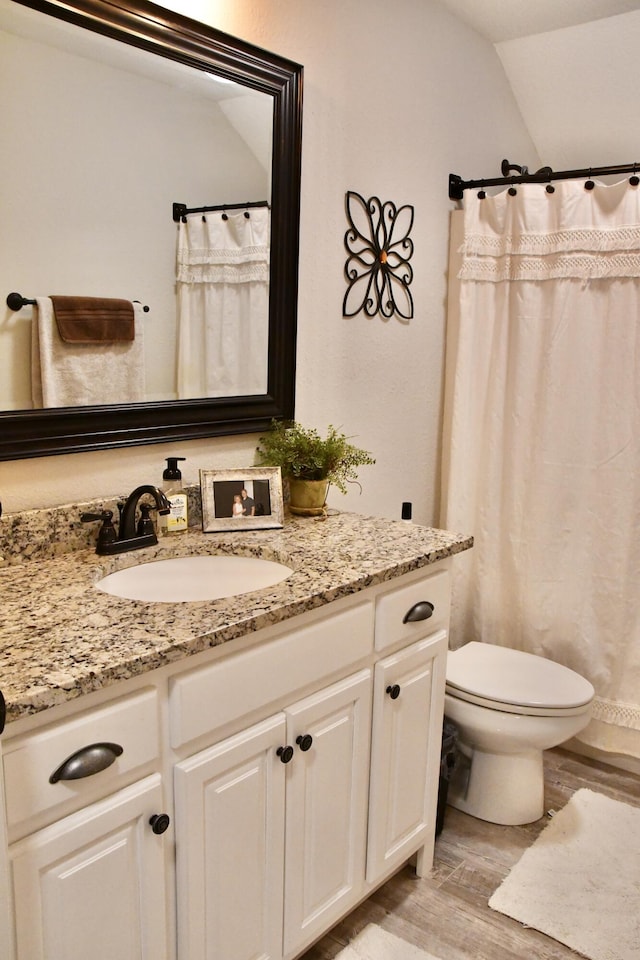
column 228, row 495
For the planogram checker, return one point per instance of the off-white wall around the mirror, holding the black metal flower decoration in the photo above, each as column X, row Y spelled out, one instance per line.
column 396, row 97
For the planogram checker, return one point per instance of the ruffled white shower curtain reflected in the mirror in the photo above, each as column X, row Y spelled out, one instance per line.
column 223, row 303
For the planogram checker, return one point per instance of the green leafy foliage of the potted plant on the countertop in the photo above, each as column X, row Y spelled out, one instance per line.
column 302, row 454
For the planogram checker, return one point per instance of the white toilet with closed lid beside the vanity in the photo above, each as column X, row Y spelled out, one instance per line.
column 508, row 706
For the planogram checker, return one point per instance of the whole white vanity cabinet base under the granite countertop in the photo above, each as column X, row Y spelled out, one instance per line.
column 299, row 767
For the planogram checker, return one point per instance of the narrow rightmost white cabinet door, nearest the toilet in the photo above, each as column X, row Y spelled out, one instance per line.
column 405, row 754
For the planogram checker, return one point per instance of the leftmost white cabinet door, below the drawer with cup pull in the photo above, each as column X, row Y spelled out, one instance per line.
column 93, row 884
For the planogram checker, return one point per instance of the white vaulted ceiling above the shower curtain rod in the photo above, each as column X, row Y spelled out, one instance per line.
column 574, row 69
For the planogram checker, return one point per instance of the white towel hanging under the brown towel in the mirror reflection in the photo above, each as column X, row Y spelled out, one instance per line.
column 83, row 374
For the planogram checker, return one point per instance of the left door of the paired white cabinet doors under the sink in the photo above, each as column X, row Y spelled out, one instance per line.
column 230, row 847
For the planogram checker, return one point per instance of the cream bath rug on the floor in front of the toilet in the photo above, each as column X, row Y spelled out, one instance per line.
column 579, row 882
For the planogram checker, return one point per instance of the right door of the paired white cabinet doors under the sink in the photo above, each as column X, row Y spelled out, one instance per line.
column 327, row 787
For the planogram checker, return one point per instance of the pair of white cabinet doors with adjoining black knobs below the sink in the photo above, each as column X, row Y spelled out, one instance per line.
column 271, row 828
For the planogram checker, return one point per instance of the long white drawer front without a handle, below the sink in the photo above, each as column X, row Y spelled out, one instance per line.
column 210, row 697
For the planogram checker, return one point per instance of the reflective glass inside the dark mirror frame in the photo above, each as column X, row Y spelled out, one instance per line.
column 99, row 141
